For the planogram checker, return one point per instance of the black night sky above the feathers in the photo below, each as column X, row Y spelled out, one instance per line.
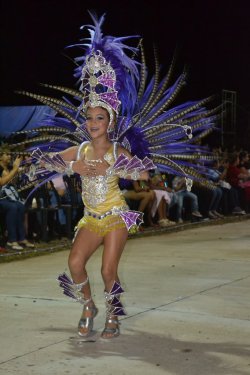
column 212, row 39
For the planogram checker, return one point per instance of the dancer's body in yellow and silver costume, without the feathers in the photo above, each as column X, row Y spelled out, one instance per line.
column 100, row 224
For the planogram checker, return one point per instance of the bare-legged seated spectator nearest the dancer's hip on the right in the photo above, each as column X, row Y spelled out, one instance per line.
column 142, row 193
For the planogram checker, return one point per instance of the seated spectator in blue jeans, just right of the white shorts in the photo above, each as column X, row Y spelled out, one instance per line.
column 181, row 193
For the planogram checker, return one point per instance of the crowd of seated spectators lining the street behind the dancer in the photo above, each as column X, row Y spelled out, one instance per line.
column 164, row 199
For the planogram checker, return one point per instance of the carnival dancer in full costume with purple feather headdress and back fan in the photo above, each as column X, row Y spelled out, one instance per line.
column 116, row 125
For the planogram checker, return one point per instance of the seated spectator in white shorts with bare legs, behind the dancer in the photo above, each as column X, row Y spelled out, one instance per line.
column 162, row 200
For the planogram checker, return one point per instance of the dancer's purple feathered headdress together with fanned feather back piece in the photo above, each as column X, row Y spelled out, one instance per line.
column 110, row 74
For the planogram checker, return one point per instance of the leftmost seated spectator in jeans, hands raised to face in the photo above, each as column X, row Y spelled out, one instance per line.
column 11, row 205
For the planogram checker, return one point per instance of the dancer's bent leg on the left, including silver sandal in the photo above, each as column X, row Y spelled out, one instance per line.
column 85, row 244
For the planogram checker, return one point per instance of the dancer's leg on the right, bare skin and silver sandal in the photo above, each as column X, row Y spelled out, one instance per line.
column 114, row 243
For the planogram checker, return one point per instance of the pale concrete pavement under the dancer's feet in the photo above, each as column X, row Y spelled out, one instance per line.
column 187, row 299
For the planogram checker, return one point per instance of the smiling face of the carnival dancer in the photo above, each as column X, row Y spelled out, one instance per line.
column 97, row 121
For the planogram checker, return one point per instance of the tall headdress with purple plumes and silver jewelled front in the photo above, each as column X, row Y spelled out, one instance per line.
column 107, row 74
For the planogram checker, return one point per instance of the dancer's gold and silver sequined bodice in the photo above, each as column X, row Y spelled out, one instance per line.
column 101, row 193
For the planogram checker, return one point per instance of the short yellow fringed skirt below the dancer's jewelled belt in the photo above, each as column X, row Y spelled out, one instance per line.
column 101, row 226
